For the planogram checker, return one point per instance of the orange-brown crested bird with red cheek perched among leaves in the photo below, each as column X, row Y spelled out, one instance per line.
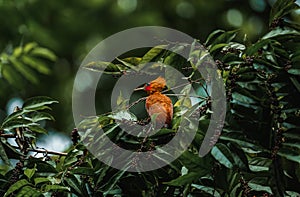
column 159, row 106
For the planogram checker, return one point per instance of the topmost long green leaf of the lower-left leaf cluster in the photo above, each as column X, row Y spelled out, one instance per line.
column 38, row 102
